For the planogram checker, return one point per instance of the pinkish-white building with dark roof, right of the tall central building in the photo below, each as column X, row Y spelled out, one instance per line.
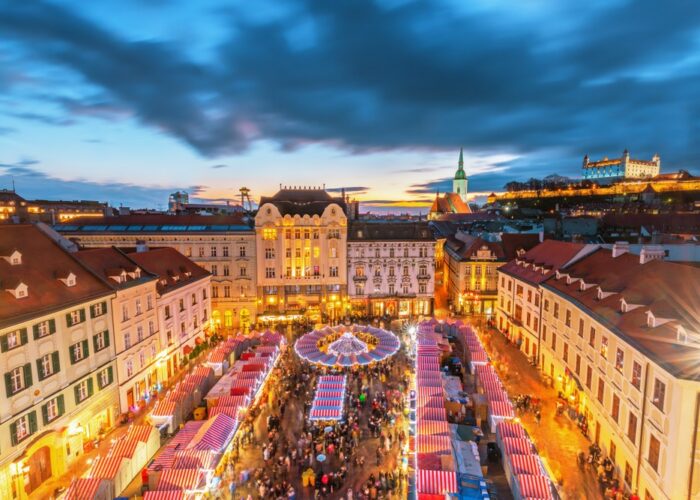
column 391, row 268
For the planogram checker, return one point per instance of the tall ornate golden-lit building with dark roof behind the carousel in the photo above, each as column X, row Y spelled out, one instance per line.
column 301, row 236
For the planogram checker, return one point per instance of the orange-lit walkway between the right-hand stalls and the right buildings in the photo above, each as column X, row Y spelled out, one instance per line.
column 557, row 438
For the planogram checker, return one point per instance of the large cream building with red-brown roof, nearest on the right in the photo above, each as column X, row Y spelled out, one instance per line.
column 619, row 340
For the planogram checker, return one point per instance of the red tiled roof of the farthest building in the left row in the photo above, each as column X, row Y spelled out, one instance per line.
column 170, row 266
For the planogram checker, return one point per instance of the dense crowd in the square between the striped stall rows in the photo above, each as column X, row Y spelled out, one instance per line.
column 358, row 457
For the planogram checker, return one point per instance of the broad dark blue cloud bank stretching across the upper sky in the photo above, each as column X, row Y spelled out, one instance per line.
column 366, row 76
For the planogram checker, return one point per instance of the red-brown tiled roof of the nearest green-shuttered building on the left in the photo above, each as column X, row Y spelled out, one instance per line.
column 42, row 259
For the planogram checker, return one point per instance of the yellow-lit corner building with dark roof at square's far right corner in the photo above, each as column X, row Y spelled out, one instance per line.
column 471, row 264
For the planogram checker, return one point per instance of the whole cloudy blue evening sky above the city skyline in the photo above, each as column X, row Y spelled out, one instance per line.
column 126, row 101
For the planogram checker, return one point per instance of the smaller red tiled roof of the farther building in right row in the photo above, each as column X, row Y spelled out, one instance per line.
column 551, row 254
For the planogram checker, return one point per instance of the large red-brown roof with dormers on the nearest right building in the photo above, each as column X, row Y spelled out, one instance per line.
column 669, row 290
